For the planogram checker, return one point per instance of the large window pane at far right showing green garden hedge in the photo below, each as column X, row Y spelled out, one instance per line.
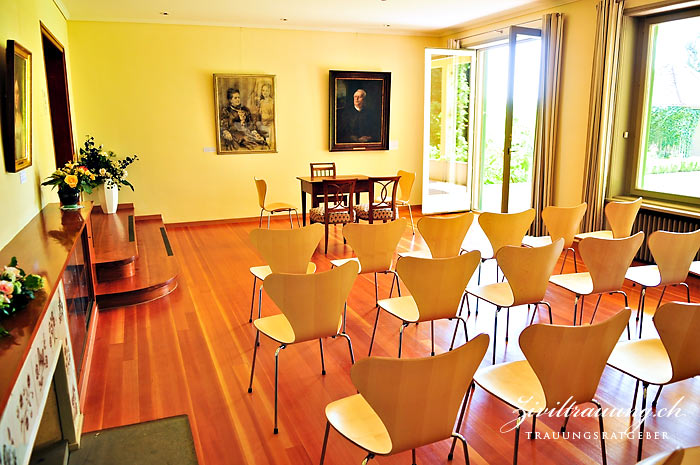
column 670, row 154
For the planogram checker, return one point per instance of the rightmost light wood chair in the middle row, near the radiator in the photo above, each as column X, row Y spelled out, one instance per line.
column 673, row 254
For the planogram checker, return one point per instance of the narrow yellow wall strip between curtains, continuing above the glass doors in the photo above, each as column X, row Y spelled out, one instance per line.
column 577, row 60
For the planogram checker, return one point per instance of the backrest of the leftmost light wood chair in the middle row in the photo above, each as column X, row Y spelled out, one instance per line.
column 312, row 303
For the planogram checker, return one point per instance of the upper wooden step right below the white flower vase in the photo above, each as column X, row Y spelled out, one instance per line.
column 114, row 238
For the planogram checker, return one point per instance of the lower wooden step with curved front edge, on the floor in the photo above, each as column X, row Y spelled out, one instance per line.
column 155, row 269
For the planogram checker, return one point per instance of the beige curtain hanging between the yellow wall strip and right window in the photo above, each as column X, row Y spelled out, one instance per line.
column 601, row 110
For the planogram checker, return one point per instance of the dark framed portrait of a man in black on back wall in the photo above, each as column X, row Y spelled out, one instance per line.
column 359, row 110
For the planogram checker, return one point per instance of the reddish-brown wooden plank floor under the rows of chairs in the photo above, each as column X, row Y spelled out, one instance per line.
column 190, row 353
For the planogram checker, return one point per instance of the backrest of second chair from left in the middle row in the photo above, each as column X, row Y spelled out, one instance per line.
column 437, row 284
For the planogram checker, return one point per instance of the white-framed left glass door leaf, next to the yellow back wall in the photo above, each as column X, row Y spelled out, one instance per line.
column 446, row 141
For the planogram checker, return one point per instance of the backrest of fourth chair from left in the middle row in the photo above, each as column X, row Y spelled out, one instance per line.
column 607, row 260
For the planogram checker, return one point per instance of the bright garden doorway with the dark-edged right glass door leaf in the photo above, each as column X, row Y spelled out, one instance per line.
column 508, row 77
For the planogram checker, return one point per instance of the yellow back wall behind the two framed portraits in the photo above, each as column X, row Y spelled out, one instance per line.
column 148, row 89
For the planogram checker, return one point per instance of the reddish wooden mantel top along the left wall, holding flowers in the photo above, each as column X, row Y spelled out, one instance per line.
column 43, row 247
